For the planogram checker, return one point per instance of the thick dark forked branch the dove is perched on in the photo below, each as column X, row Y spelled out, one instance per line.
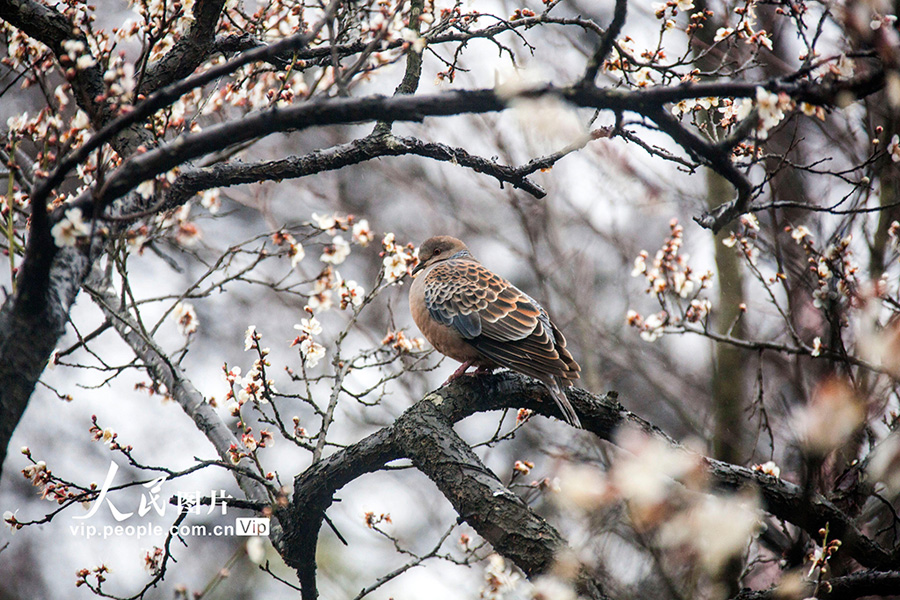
column 423, row 434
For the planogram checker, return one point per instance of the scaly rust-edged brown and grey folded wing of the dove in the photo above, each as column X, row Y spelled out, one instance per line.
column 499, row 320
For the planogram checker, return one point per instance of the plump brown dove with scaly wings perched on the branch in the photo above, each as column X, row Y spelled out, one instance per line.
column 478, row 318
